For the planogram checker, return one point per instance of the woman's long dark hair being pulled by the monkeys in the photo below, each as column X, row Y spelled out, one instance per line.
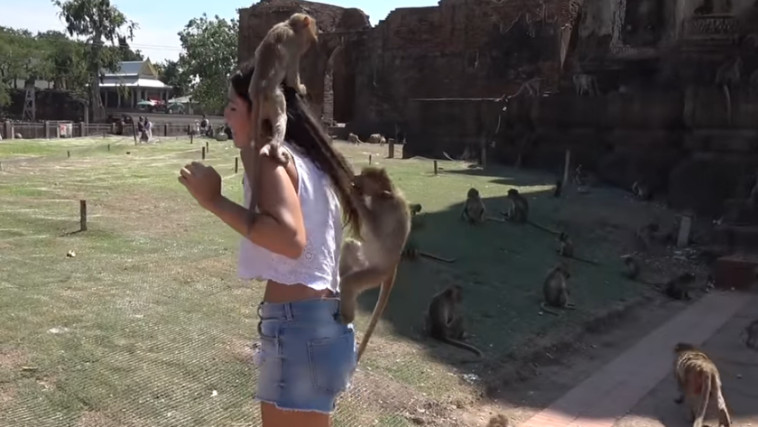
column 305, row 131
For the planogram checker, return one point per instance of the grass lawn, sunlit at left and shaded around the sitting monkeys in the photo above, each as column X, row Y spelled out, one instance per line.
column 148, row 325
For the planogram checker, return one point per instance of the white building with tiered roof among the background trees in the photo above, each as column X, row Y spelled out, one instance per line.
column 134, row 81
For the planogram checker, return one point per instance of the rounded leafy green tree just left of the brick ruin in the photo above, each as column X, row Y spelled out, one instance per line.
column 208, row 59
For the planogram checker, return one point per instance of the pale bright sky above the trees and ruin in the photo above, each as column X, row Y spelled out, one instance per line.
column 160, row 20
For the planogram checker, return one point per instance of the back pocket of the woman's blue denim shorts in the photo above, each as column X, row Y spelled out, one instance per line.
column 331, row 362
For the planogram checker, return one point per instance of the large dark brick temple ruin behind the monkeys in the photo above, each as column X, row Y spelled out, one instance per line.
column 637, row 89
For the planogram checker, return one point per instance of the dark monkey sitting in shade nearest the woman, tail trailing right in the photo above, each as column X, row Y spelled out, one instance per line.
column 444, row 321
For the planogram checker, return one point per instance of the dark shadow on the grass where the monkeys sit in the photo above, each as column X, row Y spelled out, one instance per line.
column 500, row 267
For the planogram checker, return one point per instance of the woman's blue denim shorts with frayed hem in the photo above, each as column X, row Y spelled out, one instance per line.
column 307, row 355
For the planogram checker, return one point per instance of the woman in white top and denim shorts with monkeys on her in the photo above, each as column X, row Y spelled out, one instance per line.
column 307, row 354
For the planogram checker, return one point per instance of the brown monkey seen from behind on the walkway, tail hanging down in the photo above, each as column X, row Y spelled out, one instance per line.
column 699, row 381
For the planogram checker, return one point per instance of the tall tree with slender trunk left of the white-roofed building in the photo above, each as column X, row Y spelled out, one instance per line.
column 98, row 22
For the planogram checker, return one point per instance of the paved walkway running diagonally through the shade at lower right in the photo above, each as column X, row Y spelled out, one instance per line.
column 616, row 388
